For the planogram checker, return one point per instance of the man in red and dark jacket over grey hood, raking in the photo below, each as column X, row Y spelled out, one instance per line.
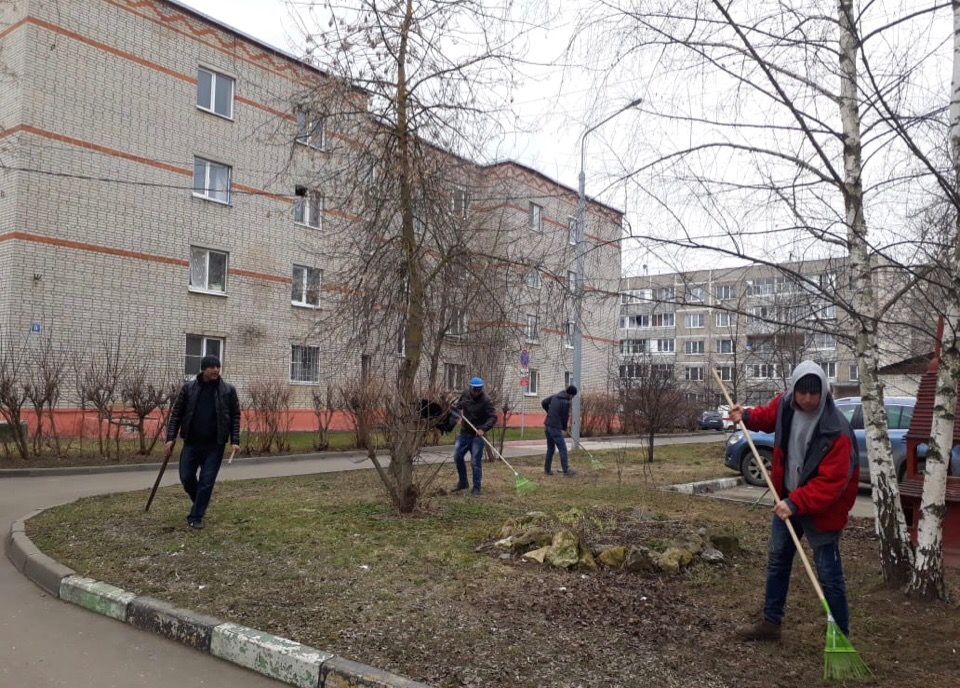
column 815, row 471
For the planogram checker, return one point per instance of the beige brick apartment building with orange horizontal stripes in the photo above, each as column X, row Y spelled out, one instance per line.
column 166, row 192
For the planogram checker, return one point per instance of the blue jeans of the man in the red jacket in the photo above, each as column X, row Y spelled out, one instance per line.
column 826, row 558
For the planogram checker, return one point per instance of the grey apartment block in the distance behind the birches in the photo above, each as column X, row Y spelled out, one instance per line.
column 752, row 324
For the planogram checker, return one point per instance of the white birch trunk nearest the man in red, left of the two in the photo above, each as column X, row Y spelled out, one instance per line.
column 896, row 557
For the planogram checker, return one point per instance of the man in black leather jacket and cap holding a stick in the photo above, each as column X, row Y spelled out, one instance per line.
column 206, row 414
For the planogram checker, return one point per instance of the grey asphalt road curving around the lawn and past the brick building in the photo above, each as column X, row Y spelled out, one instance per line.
column 46, row 643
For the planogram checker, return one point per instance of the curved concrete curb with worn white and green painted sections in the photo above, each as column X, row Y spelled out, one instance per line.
column 279, row 658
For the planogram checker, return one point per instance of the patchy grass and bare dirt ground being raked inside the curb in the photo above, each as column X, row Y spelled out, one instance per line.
column 323, row 560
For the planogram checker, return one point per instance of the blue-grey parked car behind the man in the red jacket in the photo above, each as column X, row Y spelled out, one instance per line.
column 738, row 457
